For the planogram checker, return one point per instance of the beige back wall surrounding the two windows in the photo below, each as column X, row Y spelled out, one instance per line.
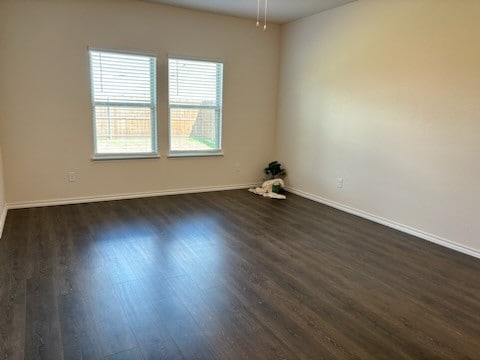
column 46, row 107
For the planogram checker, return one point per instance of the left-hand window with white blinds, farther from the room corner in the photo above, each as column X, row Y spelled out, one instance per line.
column 124, row 104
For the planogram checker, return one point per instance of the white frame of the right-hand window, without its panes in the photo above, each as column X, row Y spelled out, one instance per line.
column 219, row 108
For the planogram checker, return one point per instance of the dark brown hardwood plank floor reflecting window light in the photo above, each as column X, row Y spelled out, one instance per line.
column 228, row 275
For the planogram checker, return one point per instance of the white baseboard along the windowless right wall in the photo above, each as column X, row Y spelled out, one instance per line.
column 392, row 224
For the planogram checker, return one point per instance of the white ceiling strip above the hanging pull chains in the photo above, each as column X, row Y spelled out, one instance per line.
column 279, row 11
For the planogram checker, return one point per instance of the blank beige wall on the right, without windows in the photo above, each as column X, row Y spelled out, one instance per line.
column 386, row 95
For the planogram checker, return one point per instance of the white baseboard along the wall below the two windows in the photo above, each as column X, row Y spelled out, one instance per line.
column 90, row 199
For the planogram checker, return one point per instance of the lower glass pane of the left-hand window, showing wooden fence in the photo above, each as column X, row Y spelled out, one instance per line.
column 123, row 129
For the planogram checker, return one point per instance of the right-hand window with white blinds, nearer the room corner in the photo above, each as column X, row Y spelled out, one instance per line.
column 195, row 107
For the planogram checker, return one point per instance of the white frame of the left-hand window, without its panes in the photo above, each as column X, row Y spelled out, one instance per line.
column 152, row 106
